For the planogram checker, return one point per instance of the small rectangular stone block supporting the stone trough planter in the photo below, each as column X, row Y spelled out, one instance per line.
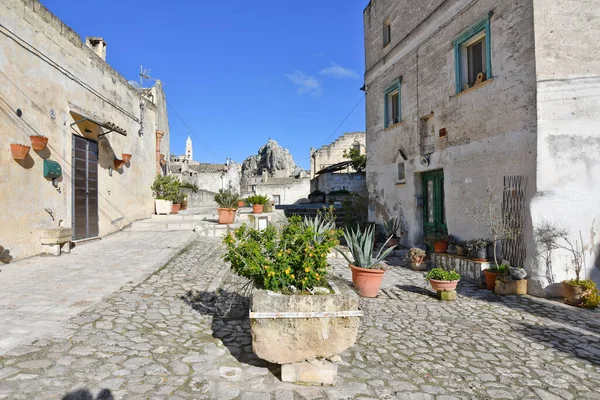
column 310, row 373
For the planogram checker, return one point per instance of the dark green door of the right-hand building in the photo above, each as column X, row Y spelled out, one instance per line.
column 434, row 214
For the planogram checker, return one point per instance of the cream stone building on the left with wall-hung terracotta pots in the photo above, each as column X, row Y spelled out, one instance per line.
column 53, row 84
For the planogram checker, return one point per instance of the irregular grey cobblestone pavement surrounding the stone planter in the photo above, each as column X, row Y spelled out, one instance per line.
column 166, row 338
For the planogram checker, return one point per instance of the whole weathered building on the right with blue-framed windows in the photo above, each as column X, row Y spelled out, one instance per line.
column 468, row 93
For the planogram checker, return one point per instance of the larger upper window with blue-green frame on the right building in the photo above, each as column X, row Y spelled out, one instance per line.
column 473, row 55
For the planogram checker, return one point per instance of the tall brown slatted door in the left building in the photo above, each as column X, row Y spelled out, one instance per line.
column 85, row 188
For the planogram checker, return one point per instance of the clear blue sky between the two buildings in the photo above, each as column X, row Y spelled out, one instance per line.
column 238, row 72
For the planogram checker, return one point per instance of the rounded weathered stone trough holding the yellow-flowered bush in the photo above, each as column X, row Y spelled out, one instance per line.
column 289, row 329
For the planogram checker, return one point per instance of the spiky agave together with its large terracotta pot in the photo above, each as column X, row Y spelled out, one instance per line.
column 367, row 271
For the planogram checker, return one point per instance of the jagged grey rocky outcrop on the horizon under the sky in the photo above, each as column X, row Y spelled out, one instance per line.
column 277, row 161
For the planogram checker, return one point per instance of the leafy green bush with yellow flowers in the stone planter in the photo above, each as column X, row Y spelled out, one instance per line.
column 276, row 260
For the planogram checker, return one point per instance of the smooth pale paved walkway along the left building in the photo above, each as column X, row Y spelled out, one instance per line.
column 39, row 295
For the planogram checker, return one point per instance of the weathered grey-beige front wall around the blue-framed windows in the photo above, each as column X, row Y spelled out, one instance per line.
column 490, row 129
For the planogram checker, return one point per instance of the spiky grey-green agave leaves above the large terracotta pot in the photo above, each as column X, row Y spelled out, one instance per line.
column 360, row 245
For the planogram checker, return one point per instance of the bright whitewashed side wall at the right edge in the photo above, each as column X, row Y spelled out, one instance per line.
column 567, row 35
